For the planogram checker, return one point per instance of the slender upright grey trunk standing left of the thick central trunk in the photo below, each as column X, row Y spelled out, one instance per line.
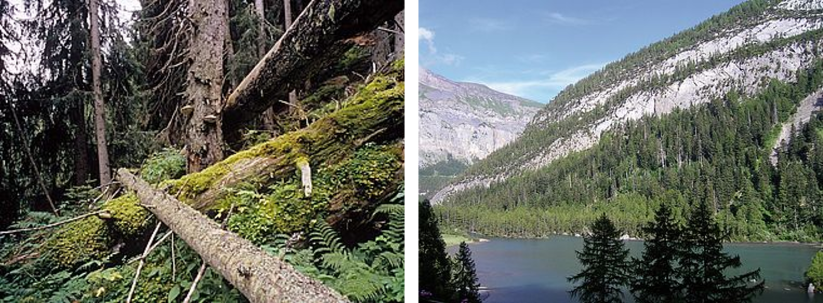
column 99, row 106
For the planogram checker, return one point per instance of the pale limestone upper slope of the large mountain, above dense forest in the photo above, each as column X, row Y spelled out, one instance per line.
column 687, row 69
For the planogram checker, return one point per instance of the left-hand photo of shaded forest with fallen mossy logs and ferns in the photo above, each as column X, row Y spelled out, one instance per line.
column 277, row 123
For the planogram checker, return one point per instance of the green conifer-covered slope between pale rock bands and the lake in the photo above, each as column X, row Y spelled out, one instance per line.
column 718, row 152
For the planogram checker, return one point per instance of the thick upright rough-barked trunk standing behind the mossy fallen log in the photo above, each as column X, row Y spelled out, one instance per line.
column 204, row 81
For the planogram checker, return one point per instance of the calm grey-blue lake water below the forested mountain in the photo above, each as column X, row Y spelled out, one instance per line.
column 535, row 270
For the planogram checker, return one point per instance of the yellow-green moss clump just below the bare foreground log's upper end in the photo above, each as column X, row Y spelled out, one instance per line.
column 128, row 216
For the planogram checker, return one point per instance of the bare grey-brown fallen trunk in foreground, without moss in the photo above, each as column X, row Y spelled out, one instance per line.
column 258, row 275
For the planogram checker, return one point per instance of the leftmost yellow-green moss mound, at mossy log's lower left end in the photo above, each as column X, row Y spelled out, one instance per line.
column 78, row 241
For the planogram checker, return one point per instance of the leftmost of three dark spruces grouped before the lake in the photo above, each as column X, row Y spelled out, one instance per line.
column 605, row 268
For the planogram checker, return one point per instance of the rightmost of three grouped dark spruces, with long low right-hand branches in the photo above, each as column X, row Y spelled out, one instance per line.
column 703, row 262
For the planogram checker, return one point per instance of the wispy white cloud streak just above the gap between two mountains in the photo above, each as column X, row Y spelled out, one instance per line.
column 554, row 83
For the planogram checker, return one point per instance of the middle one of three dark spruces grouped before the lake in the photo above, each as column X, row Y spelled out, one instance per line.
column 655, row 276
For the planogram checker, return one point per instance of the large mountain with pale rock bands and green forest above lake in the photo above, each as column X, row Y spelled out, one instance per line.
column 701, row 115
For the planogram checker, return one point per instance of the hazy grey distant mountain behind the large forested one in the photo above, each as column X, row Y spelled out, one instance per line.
column 460, row 123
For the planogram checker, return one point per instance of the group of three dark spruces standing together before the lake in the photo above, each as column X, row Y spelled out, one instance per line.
column 673, row 268
